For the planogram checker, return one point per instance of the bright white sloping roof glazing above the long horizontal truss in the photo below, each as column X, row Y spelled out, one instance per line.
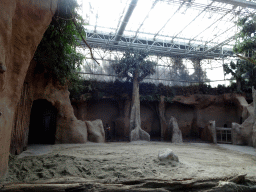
column 202, row 23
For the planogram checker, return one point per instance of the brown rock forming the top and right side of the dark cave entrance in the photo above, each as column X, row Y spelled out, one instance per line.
column 68, row 128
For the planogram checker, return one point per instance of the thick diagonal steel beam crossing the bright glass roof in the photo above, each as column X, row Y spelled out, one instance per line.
column 125, row 21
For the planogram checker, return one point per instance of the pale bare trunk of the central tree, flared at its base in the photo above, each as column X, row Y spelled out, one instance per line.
column 136, row 133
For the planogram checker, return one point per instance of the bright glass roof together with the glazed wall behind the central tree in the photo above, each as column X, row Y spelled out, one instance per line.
column 191, row 29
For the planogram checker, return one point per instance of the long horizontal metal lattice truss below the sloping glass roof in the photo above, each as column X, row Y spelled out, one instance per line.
column 159, row 48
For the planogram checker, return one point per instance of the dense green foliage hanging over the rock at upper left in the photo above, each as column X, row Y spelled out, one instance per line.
column 56, row 54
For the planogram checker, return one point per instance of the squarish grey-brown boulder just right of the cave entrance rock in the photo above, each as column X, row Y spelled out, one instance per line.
column 95, row 131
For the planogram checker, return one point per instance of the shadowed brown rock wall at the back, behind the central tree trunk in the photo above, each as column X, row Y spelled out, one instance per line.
column 193, row 114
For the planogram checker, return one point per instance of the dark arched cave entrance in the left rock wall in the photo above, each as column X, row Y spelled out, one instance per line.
column 42, row 126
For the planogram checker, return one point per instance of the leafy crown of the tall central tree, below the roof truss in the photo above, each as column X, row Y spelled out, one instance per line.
column 134, row 63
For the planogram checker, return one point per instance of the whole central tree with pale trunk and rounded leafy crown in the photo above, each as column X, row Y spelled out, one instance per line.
column 134, row 67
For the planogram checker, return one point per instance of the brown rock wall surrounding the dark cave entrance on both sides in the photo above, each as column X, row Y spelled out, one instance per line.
column 39, row 86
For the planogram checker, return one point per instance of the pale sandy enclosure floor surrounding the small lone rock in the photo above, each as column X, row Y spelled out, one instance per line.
column 113, row 162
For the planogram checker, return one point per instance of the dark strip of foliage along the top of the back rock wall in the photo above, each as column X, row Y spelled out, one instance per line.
column 94, row 89
